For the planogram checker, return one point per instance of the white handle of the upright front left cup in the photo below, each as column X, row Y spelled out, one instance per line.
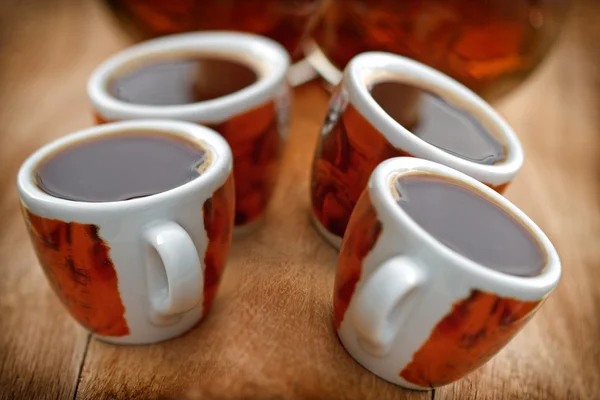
column 176, row 277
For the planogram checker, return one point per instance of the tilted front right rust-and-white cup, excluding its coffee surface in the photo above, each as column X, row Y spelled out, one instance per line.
column 416, row 312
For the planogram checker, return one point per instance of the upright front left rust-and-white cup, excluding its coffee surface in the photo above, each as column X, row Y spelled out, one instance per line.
column 141, row 270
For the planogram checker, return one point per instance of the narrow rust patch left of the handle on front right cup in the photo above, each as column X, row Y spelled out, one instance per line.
column 363, row 231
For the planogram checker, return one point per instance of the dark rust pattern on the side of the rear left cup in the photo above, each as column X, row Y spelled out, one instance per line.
column 256, row 143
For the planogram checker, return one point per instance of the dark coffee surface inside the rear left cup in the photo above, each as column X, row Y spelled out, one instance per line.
column 181, row 81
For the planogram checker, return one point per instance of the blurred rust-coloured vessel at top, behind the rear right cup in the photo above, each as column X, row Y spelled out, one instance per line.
column 490, row 46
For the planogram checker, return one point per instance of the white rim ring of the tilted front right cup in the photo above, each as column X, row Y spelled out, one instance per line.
column 537, row 286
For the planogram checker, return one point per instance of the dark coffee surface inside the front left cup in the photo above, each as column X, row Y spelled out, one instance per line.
column 121, row 167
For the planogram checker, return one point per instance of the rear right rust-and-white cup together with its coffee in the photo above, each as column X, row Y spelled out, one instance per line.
column 389, row 106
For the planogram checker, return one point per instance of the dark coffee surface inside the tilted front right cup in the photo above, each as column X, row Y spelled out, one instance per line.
column 469, row 223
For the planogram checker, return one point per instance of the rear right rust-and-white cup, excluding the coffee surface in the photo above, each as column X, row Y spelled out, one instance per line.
column 358, row 134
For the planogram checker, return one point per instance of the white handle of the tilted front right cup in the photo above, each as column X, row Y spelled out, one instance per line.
column 382, row 303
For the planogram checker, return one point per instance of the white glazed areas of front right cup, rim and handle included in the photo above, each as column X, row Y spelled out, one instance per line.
column 410, row 281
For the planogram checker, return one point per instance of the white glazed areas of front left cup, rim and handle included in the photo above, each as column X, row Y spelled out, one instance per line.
column 157, row 243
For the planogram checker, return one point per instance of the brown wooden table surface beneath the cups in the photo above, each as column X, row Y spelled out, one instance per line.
column 270, row 335
